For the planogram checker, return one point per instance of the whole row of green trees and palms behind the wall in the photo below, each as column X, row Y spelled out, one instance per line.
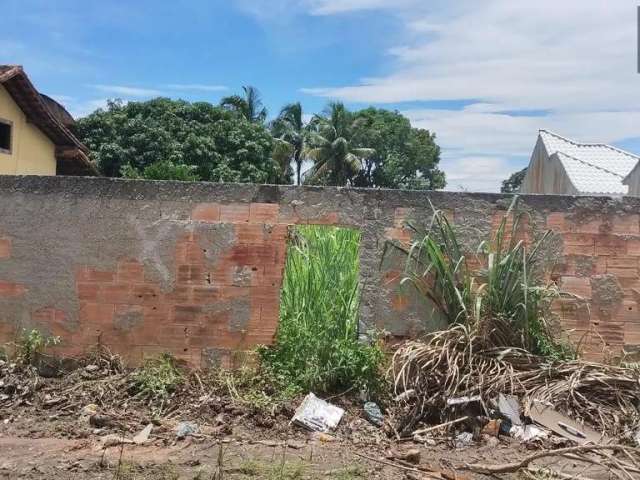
column 165, row 139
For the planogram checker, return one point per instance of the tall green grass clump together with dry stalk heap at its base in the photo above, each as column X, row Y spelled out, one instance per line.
column 500, row 341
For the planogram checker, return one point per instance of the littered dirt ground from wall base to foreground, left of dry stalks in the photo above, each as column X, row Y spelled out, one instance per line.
column 81, row 427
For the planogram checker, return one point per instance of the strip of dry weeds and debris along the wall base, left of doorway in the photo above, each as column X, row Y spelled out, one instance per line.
column 161, row 388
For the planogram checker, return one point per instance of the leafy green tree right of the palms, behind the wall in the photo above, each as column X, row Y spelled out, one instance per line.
column 405, row 157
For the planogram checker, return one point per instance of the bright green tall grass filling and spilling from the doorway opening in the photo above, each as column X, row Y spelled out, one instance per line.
column 317, row 345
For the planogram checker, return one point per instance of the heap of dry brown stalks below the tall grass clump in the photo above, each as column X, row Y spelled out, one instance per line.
column 456, row 363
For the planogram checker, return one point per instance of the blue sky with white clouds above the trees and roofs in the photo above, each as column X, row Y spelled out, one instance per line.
column 483, row 79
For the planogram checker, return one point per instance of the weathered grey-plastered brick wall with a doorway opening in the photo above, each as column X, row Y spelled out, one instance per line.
column 196, row 268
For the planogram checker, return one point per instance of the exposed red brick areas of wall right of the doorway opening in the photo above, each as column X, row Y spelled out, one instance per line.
column 596, row 272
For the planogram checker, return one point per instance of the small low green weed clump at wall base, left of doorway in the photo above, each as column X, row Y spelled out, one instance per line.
column 158, row 377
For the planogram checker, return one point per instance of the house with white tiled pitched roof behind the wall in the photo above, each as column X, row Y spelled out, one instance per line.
column 562, row 166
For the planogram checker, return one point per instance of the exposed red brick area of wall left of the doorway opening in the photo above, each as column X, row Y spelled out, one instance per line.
column 128, row 312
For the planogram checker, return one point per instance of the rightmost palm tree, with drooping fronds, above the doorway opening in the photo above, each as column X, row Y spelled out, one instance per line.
column 336, row 159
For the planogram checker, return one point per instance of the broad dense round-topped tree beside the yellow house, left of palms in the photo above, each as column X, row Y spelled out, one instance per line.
column 174, row 139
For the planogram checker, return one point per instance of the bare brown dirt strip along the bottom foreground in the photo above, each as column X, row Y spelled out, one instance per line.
column 32, row 450
